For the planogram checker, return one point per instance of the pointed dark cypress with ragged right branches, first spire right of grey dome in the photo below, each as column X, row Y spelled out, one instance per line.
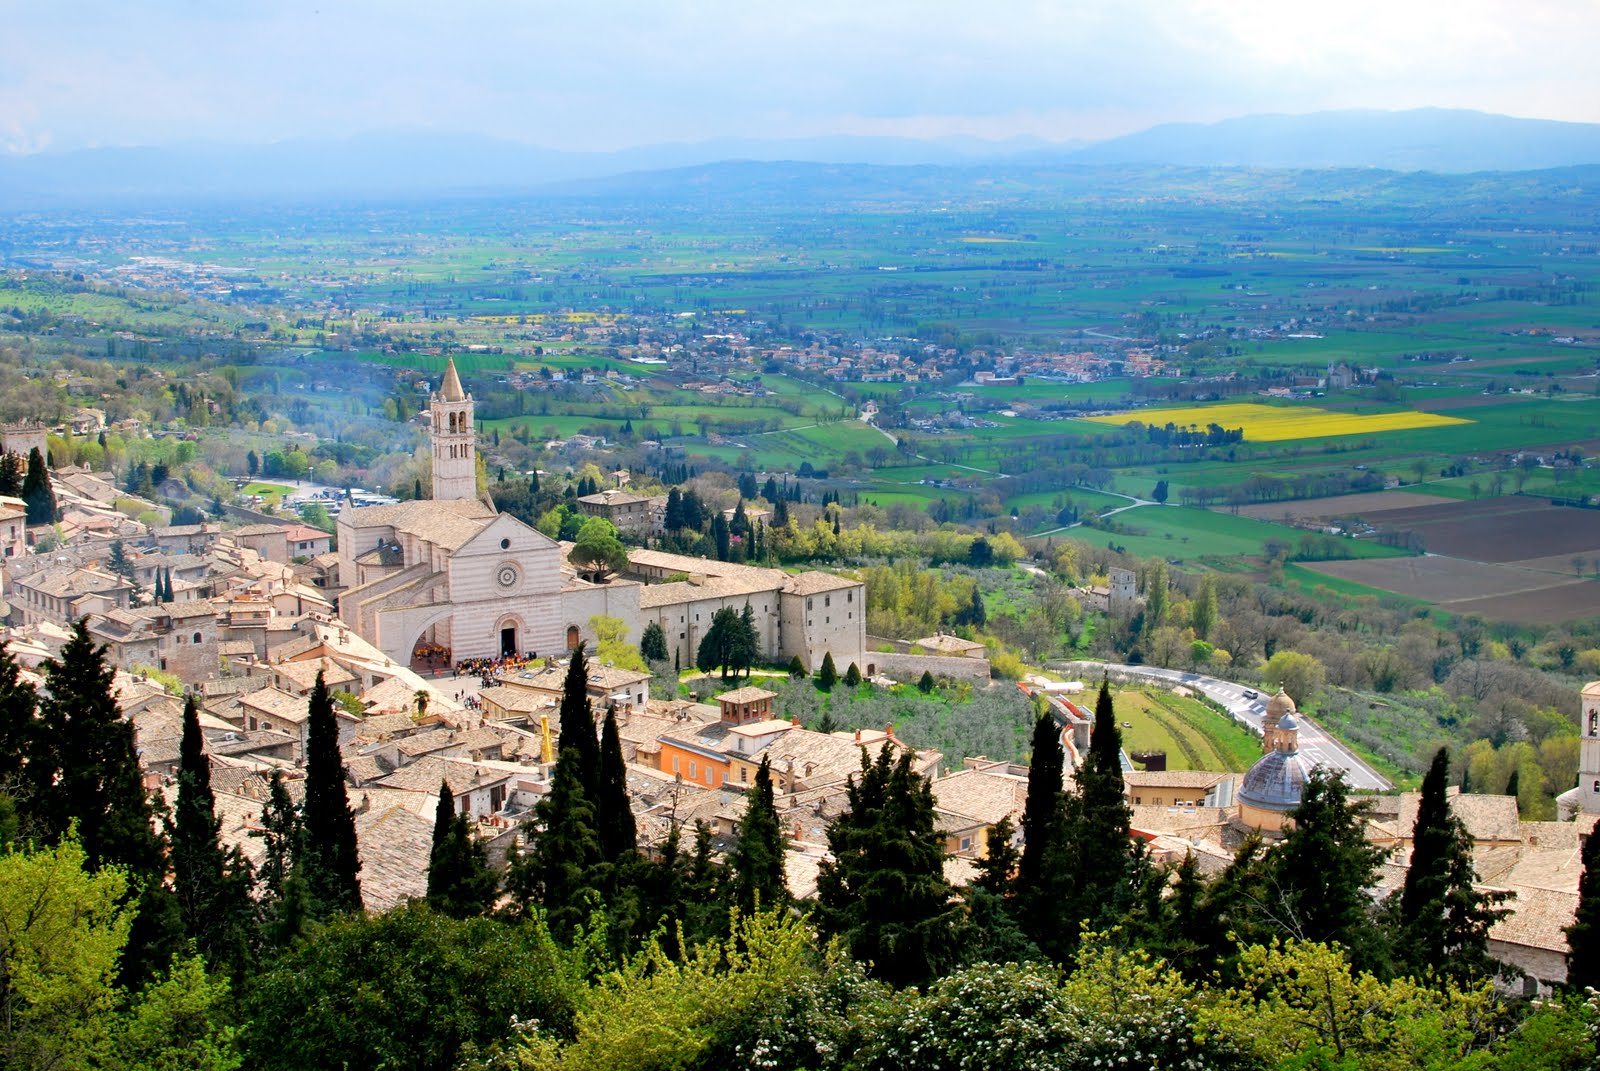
column 1442, row 921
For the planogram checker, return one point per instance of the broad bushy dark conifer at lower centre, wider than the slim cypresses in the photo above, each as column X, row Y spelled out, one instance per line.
column 884, row 889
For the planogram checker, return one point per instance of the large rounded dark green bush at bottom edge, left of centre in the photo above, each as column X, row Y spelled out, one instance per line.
column 407, row 990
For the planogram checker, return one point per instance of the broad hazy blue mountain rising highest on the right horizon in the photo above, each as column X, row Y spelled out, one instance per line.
column 1423, row 140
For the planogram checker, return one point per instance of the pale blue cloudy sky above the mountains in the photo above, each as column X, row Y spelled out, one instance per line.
column 586, row 76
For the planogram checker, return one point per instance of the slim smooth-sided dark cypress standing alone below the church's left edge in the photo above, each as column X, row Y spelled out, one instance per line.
column 332, row 859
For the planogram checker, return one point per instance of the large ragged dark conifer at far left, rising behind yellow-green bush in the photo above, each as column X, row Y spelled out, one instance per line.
column 86, row 771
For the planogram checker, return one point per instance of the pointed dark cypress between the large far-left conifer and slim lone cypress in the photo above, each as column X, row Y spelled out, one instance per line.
column 210, row 883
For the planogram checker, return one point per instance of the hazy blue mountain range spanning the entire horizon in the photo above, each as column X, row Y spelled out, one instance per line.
column 402, row 164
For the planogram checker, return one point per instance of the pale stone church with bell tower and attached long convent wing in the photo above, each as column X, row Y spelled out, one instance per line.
column 455, row 576
